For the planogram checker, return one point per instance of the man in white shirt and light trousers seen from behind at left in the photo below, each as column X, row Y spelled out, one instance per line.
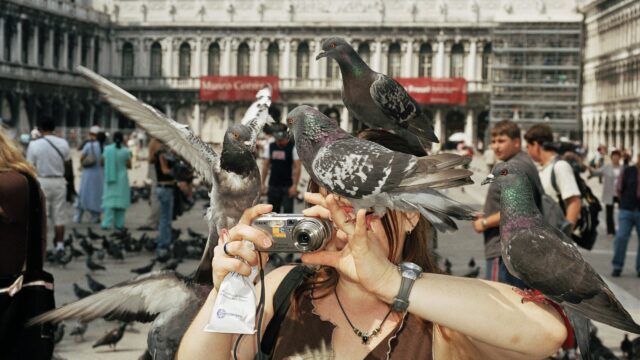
column 48, row 154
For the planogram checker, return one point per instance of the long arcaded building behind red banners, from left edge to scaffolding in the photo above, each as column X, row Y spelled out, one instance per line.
column 159, row 49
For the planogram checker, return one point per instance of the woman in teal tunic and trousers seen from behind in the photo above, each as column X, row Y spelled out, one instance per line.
column 117, row 193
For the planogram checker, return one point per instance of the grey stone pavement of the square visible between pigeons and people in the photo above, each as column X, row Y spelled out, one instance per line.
column 458, row 247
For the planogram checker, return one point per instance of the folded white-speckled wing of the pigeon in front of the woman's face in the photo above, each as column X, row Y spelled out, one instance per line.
column 355, row 168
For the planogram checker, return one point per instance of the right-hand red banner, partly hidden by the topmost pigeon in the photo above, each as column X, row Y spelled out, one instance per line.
column 436, row 91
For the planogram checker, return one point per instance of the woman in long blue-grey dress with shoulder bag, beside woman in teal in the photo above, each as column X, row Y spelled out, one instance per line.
column 90, row 193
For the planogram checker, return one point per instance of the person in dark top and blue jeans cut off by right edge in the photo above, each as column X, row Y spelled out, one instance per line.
column 629, row 216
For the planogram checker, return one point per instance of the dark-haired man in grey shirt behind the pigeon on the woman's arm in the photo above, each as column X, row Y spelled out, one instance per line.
column 507, row 146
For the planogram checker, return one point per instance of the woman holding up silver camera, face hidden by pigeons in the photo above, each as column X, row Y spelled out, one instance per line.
column 345, row 310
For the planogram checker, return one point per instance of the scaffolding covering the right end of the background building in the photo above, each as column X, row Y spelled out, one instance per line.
column 536, row 75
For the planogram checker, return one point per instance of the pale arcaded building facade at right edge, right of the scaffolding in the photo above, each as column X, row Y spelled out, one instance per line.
column 611, row 91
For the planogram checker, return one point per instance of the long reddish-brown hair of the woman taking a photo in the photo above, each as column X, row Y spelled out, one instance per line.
column 416, row 244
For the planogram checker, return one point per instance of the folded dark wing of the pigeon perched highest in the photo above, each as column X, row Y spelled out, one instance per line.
column 394, row 101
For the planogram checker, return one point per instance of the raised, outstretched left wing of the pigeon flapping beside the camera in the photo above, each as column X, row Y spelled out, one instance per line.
column 177, row 136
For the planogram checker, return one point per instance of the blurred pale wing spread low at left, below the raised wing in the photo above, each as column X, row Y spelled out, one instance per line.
column 140, row 299
